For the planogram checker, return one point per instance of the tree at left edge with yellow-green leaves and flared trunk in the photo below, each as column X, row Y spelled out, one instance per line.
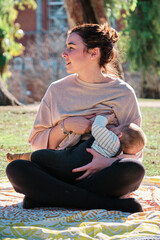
column 9, row 32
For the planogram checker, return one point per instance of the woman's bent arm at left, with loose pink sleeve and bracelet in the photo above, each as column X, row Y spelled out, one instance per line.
column 47, row 133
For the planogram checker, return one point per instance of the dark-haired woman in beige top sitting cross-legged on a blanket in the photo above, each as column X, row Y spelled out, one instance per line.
column 64, row 121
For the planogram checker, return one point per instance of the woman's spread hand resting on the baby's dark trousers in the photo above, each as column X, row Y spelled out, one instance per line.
column 98, row 163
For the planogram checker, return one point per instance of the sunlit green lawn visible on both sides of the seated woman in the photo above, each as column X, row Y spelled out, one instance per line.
column 16, row 124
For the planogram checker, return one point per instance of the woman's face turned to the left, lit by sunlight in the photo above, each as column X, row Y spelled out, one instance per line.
column 76, row 57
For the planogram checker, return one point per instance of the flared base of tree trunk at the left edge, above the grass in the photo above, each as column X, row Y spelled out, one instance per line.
column 6, row 98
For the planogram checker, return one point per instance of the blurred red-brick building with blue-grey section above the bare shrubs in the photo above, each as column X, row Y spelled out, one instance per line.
column 49, row 16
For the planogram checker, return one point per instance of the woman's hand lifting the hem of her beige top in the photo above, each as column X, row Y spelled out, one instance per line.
column 79, row 125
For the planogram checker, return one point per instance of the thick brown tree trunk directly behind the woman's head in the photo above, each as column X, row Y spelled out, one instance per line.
column 90, row 11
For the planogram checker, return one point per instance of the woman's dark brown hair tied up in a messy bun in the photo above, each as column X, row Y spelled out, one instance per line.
column 101, row 36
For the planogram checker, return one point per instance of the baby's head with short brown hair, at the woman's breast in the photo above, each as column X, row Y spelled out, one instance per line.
column 132, row 138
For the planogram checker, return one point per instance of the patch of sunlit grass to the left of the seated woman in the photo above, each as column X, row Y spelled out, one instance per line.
column 15, row 126
